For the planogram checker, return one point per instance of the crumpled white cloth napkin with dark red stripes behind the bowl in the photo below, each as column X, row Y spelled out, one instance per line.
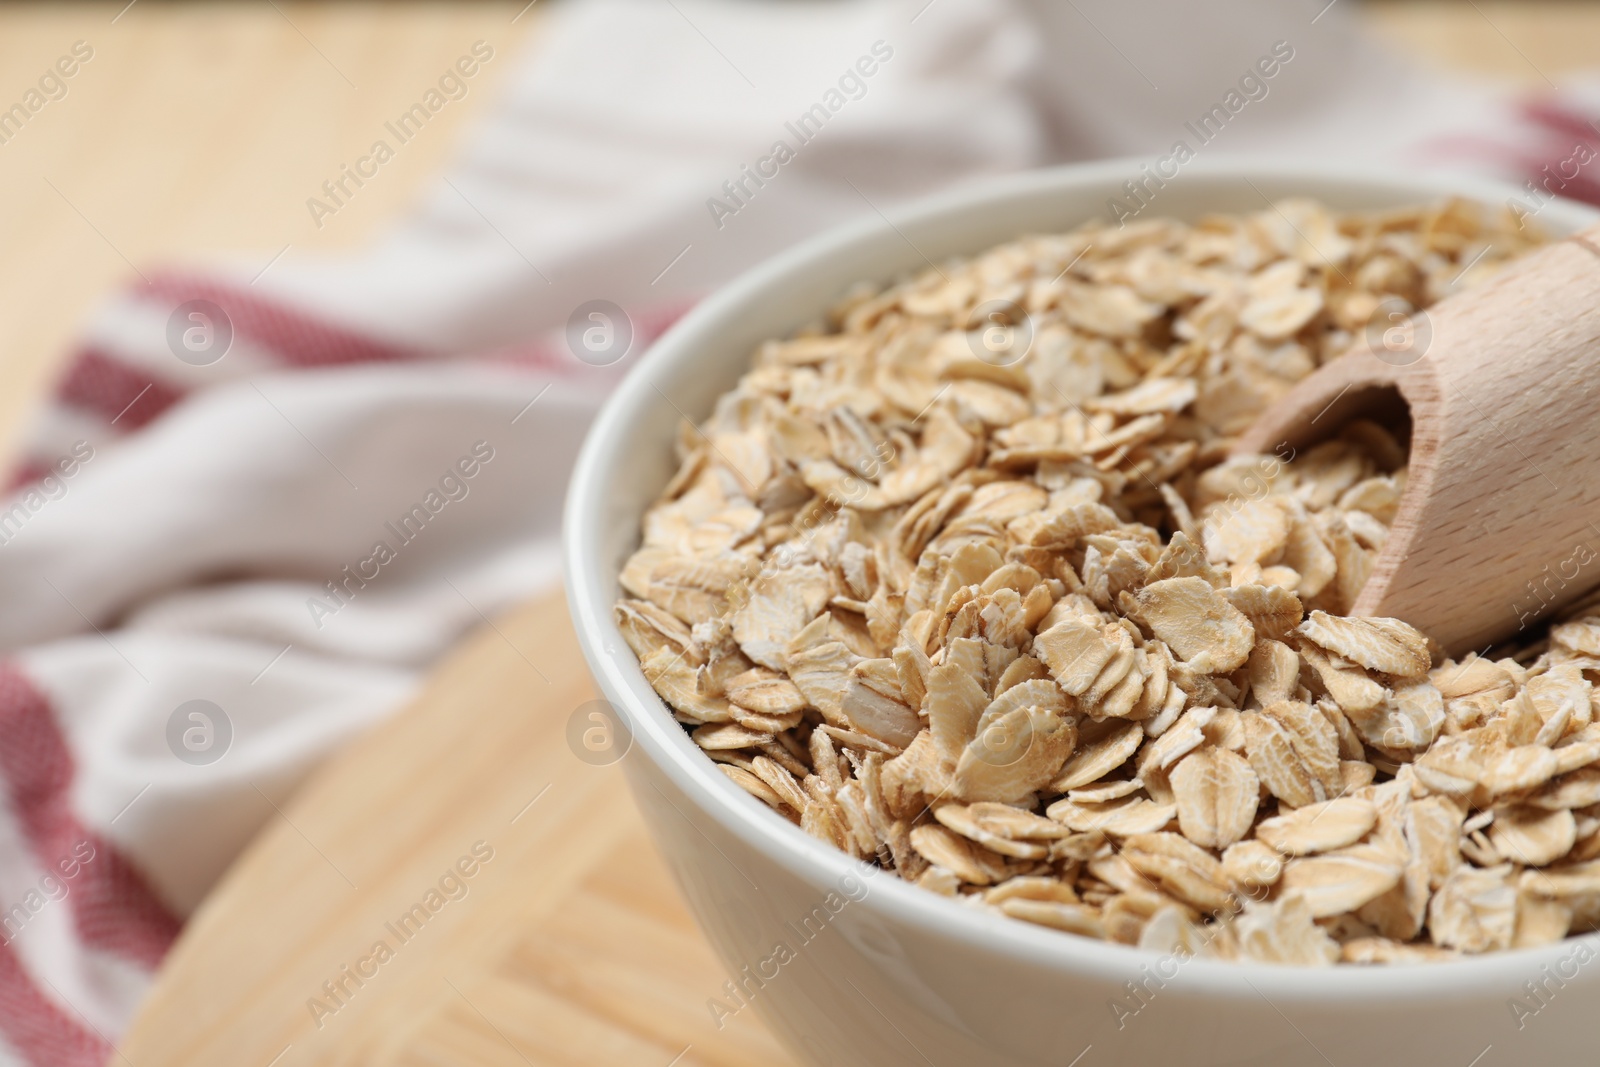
column 290, row 535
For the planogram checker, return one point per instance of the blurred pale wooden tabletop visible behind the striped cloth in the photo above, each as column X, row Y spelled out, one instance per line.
column 202, row 129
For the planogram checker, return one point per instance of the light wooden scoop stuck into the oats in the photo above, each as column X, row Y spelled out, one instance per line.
column 1500, row 522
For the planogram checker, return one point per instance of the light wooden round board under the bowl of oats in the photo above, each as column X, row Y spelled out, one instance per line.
column 569, row 946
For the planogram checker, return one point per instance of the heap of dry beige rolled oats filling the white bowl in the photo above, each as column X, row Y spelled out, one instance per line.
column 966, row 583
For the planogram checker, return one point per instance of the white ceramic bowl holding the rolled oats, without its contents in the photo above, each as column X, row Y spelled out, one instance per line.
column 850, row 967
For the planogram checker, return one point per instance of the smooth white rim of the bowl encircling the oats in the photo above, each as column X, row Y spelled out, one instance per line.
column 663, row 741
